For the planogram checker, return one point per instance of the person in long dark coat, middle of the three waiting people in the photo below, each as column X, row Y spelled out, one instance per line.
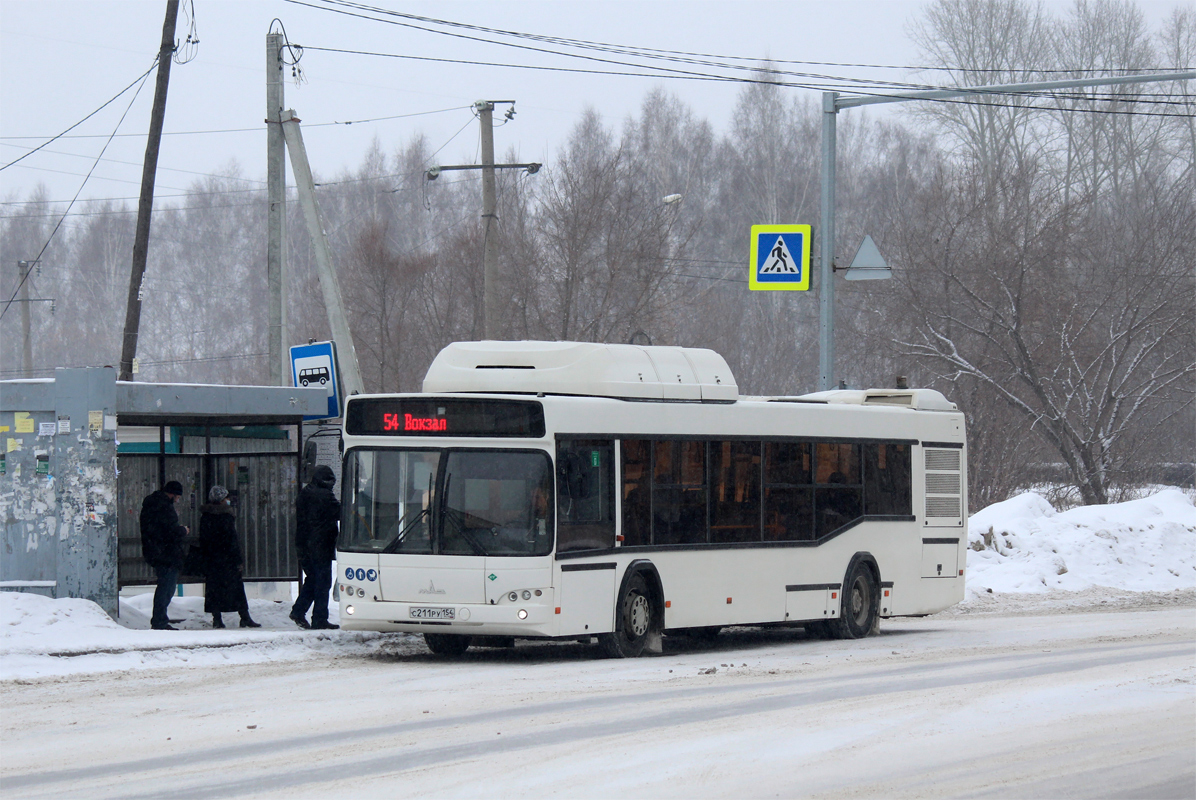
column 223, row 560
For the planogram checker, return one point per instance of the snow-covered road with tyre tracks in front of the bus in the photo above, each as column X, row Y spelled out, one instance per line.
column 1058, row 705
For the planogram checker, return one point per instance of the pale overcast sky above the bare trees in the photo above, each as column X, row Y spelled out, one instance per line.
column 60, row 60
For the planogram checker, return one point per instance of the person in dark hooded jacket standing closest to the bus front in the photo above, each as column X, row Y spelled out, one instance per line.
column 318, row 516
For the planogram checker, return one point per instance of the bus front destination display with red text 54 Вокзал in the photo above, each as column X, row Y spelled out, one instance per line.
column 420, row 417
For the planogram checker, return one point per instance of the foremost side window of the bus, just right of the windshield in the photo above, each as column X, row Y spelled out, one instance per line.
column 585, row 494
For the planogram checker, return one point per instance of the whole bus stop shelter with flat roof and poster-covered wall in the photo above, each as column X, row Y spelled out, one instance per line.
column 82, row 450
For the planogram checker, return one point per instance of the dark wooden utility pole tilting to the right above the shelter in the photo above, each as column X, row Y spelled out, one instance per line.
column 145, row 204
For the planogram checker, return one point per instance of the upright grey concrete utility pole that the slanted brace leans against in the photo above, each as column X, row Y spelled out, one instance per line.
column 277, row 215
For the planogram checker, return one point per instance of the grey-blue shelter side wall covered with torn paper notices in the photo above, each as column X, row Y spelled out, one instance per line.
column 58, row 486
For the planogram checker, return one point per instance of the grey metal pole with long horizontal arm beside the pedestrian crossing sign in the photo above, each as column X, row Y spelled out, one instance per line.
column 832, row 106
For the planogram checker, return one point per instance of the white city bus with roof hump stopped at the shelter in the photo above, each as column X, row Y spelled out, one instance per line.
column 570, row 491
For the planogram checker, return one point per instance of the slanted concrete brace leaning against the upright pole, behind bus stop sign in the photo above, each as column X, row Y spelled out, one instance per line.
column 347, row 355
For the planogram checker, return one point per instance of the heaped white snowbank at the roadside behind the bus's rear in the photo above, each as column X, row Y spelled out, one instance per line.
column 1023, row 546
